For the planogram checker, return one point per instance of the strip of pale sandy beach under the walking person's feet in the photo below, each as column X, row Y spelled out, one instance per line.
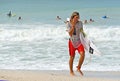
column 27, row 75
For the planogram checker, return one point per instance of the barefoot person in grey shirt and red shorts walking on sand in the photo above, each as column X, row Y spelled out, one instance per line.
column 74, row 26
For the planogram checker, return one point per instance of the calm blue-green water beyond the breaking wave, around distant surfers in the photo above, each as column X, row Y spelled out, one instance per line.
column 45, row 11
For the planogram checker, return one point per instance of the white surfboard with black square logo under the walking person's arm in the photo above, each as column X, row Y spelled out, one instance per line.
column 89, row 45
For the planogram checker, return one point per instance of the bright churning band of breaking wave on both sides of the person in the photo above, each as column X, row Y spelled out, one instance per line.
column 37, row 32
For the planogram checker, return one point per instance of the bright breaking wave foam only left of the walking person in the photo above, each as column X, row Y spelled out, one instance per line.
column 31, row 32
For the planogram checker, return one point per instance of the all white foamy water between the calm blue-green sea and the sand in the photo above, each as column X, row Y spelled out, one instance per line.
column 44, row 47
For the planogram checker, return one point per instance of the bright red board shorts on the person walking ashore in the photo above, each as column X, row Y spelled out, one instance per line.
column 72, row 49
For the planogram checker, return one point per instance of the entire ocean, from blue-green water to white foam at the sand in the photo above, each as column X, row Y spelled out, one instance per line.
column 38, row 41
